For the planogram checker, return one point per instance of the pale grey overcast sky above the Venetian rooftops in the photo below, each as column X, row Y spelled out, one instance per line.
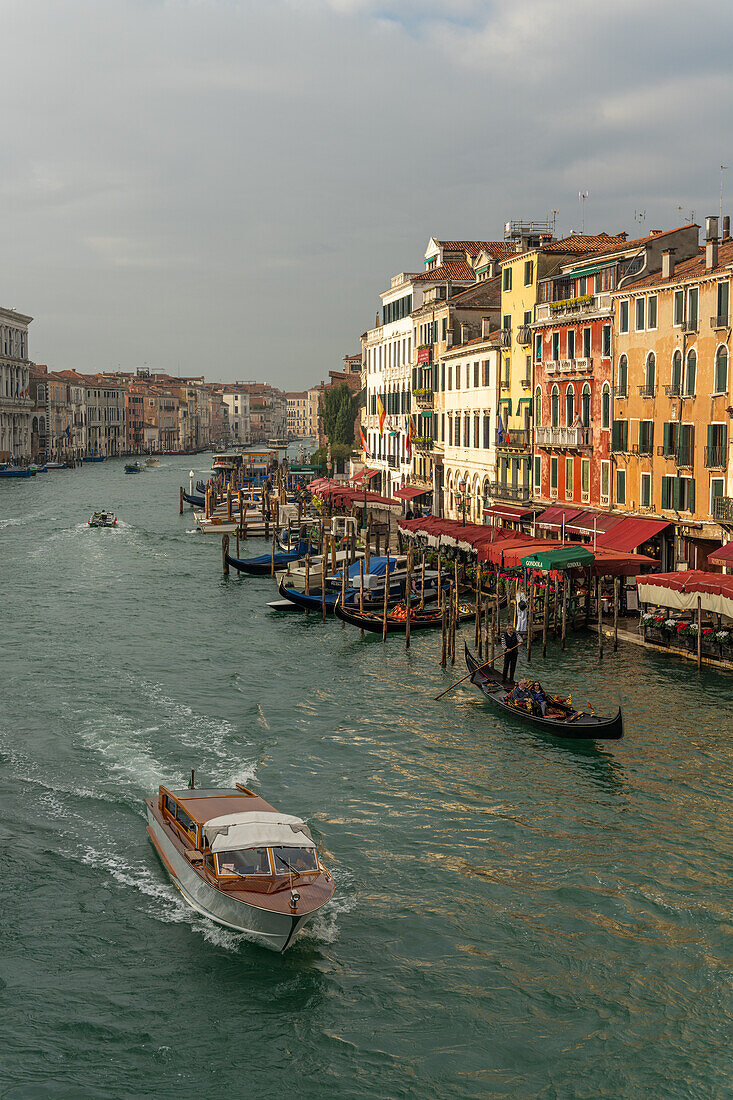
column 225, row 186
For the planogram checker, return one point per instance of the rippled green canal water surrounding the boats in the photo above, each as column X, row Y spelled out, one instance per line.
column 515, row 916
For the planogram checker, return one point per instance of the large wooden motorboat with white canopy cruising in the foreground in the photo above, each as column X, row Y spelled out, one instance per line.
column 239, row 862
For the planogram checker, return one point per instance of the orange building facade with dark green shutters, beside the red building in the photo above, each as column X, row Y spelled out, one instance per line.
column 671, row 449
